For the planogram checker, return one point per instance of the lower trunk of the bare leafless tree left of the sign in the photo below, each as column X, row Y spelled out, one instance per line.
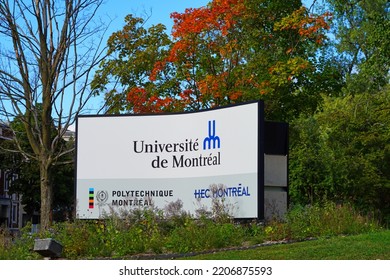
column 46, row 195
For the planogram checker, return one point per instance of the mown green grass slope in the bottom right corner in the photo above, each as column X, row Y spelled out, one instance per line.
column 371, row 246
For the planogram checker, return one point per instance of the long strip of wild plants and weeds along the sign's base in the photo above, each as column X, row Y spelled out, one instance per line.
column 149, row 231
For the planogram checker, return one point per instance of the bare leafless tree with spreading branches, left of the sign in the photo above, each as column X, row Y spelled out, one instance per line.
column 47, row 58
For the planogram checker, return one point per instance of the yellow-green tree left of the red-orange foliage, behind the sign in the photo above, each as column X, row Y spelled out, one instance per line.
column 131, row 56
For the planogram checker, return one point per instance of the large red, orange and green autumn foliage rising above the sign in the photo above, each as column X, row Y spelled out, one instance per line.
column 229, row 51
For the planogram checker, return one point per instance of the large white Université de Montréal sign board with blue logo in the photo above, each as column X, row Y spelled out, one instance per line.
column 131, row 161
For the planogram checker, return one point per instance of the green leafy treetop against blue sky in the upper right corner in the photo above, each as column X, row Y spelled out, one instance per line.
column 361, row 31
